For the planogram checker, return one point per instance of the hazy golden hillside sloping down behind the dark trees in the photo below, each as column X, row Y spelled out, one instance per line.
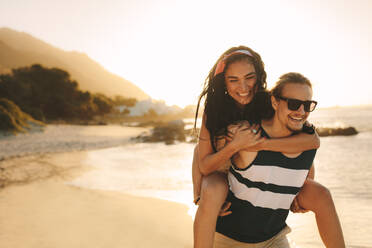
column 18, row 49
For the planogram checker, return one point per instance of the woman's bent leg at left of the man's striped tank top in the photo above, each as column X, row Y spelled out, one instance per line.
column 213, row 195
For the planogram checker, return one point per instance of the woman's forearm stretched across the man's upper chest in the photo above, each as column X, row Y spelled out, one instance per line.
column 292, row 144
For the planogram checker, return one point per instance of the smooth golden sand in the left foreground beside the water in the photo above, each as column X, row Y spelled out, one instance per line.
column 41, row 209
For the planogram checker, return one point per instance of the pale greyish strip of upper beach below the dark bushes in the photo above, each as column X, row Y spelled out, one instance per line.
column 57, row 138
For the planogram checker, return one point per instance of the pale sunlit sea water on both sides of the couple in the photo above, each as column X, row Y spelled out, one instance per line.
column 343, row 164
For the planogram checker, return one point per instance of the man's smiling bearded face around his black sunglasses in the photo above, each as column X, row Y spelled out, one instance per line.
column 293, row 120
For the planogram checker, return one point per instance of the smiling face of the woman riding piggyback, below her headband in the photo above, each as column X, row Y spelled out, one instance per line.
column 240, row 80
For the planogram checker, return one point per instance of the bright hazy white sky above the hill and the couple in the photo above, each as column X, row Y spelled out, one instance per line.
column 167, row 47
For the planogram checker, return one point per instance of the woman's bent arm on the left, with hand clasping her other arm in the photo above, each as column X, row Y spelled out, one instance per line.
column 210, row 161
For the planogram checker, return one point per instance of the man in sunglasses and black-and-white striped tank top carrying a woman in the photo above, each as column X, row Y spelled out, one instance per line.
column 262, row 185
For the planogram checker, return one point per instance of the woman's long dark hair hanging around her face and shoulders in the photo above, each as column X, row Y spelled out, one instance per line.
column 220, row 108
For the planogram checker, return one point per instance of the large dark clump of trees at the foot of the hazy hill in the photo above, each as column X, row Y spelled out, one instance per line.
column 50, row 94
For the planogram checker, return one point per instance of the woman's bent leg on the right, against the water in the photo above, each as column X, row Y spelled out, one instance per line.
column 317, row 198
